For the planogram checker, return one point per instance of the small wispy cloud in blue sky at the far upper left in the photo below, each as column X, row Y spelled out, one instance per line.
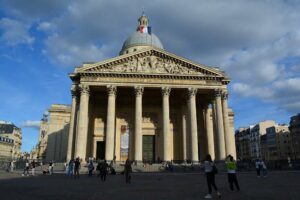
column 15, row 32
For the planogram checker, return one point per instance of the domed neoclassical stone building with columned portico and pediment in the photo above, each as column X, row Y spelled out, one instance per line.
column 148, row 104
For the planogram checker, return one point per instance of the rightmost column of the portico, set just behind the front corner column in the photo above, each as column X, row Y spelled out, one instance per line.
column 229, row 137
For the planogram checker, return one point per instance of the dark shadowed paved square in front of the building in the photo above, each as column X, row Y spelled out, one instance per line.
column 279, row 185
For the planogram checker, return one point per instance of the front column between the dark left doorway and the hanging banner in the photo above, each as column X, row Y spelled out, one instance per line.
column 110, row 122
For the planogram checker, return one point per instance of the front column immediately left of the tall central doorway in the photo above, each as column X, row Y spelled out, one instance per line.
column 138, row 142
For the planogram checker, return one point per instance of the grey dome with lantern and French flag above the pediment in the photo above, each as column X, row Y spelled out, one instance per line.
column 141, row 38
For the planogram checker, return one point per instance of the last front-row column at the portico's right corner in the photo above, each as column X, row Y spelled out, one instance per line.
column 220, row 149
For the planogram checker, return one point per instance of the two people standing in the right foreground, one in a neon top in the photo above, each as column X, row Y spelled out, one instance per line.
column 211, row 170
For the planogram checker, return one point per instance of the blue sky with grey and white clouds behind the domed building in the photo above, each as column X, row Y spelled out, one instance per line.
column 255, row 42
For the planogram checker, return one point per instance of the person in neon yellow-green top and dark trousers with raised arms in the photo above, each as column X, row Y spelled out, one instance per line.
column 231, row 170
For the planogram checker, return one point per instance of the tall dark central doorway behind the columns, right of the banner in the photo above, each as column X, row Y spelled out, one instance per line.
column 148, row 148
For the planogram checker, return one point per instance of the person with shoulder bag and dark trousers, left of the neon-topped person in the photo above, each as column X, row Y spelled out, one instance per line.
column 210, row 171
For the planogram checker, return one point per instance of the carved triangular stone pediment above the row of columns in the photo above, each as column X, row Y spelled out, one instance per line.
column 150, row 61
